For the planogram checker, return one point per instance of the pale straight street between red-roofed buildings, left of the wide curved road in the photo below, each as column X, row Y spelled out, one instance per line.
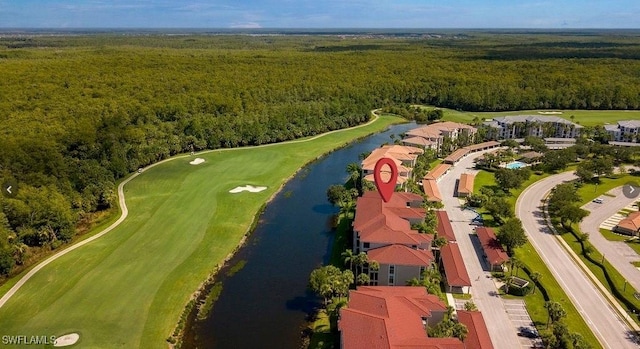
column 501, row 329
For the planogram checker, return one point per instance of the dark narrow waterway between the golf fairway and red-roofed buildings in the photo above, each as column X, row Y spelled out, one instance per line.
column 265, row 303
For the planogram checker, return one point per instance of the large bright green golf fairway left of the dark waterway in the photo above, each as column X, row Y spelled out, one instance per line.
column 128, row 288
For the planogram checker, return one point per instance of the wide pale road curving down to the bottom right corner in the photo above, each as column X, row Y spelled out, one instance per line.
column 604, row 321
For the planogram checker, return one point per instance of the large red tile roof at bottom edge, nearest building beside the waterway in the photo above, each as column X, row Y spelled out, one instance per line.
column 391, row 317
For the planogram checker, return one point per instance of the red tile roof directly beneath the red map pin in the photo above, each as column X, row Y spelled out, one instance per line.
column 382, row 222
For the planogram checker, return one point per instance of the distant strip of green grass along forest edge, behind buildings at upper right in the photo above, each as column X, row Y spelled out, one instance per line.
column 584, row 117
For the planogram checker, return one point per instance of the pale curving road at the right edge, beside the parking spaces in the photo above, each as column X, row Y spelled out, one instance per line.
column 616, row 252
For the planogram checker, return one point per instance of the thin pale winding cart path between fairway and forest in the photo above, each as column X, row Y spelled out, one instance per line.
column 125, row 211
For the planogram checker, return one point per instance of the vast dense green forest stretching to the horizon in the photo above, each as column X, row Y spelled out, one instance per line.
column 80, row 112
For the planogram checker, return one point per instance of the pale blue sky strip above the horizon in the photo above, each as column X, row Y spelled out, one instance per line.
column 320, row 14
